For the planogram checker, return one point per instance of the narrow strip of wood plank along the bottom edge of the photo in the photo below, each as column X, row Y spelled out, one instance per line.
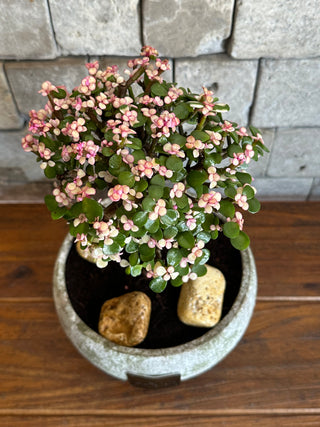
column 184, row 420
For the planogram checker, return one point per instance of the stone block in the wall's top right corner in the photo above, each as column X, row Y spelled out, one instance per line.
column 276, row 29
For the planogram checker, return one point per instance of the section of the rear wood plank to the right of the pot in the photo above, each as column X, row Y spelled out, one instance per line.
column 285, row 239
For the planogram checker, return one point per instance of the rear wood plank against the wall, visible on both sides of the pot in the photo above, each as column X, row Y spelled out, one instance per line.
column 285, row 240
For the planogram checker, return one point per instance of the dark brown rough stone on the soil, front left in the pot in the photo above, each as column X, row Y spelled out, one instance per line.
column 125, row 320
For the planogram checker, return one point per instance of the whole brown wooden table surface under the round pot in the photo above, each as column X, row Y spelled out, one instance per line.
column 272, row 378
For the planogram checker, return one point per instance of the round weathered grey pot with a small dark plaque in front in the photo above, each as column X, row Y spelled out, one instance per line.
column 157, row 367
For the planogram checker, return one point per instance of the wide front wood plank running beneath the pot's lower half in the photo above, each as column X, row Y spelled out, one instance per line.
column 276, row 366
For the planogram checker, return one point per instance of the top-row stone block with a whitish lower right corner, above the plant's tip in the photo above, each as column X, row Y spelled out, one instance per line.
column 187, row 28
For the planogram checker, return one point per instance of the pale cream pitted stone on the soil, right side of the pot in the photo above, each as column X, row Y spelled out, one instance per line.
column 200, row 301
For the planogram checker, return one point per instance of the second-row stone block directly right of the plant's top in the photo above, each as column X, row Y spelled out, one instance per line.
column 232, row 81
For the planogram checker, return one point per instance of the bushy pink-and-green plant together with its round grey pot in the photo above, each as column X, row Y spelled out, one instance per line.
column 147, row 175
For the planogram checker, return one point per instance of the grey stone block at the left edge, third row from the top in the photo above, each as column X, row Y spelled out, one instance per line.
column 14, row 156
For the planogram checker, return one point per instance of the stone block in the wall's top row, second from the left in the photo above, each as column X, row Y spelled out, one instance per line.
column 97, row 28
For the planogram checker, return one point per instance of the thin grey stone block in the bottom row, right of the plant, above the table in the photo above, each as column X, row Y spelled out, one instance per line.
column 286, row 189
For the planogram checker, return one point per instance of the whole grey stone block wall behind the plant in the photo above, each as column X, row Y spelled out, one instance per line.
column 262, row 58
